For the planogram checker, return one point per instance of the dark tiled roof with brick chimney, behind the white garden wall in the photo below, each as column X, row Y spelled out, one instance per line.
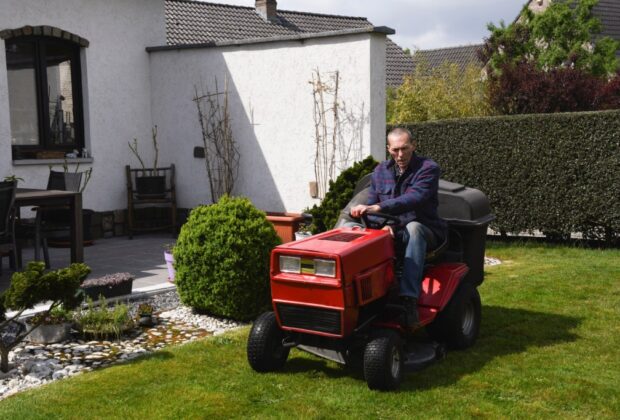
column 193, row 22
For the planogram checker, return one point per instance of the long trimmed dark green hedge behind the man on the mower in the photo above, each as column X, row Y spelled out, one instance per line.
column 557, row 173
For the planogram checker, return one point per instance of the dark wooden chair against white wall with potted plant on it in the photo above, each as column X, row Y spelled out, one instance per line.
column 151, row 188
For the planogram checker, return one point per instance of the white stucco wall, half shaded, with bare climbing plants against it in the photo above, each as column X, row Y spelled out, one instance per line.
column 271, row 105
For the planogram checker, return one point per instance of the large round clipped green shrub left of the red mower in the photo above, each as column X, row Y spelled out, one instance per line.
column 222, row 259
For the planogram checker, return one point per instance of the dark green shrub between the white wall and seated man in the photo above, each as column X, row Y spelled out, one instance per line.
column 325, row 215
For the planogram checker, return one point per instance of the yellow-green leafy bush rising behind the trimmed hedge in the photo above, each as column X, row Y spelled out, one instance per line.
column 446, row 91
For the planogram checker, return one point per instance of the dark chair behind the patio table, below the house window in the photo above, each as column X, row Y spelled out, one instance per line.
column 50, row 219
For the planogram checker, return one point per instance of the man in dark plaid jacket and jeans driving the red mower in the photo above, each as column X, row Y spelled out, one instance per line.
column 406, row 186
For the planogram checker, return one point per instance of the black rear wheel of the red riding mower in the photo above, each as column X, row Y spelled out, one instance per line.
column 459, row 323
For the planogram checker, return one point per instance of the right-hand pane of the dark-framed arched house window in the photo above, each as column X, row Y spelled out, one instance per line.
column 60, row 95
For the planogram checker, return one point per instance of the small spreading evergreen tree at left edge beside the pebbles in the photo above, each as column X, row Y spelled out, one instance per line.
column 29, row 288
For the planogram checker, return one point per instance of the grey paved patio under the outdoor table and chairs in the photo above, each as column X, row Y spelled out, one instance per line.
column 142, row 256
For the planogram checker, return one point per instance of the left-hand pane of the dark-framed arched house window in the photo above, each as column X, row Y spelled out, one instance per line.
column 22, row 93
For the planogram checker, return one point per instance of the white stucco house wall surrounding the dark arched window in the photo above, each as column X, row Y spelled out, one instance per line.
column 115, row 69
